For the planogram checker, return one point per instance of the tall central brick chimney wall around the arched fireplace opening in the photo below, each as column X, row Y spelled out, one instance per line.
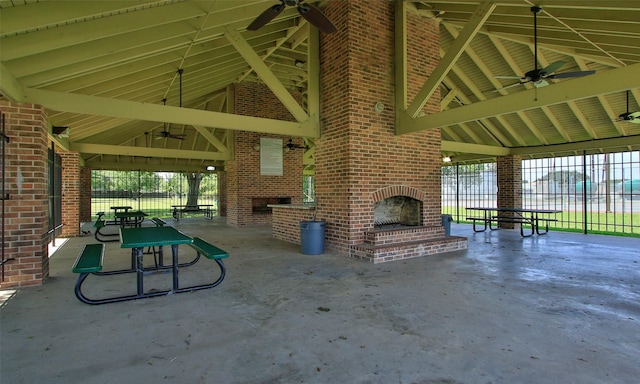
column 359, row 152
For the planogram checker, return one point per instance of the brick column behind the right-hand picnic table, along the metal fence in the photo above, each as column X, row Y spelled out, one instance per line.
column 509, row 169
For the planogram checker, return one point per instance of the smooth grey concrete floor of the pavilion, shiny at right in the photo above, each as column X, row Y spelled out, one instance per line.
column 561, row 308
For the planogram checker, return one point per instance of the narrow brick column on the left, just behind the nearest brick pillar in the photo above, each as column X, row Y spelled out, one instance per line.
column 70, row 193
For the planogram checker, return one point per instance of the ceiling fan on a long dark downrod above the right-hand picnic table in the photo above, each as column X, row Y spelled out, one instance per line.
column 539, row 76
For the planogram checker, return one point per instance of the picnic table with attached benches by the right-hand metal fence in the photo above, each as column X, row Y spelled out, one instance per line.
column 493, row 218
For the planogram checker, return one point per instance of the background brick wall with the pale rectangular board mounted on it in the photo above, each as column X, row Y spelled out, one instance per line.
column 243, row 178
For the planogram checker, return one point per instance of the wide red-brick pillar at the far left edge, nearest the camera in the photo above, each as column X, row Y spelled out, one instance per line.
column 26, row 211
